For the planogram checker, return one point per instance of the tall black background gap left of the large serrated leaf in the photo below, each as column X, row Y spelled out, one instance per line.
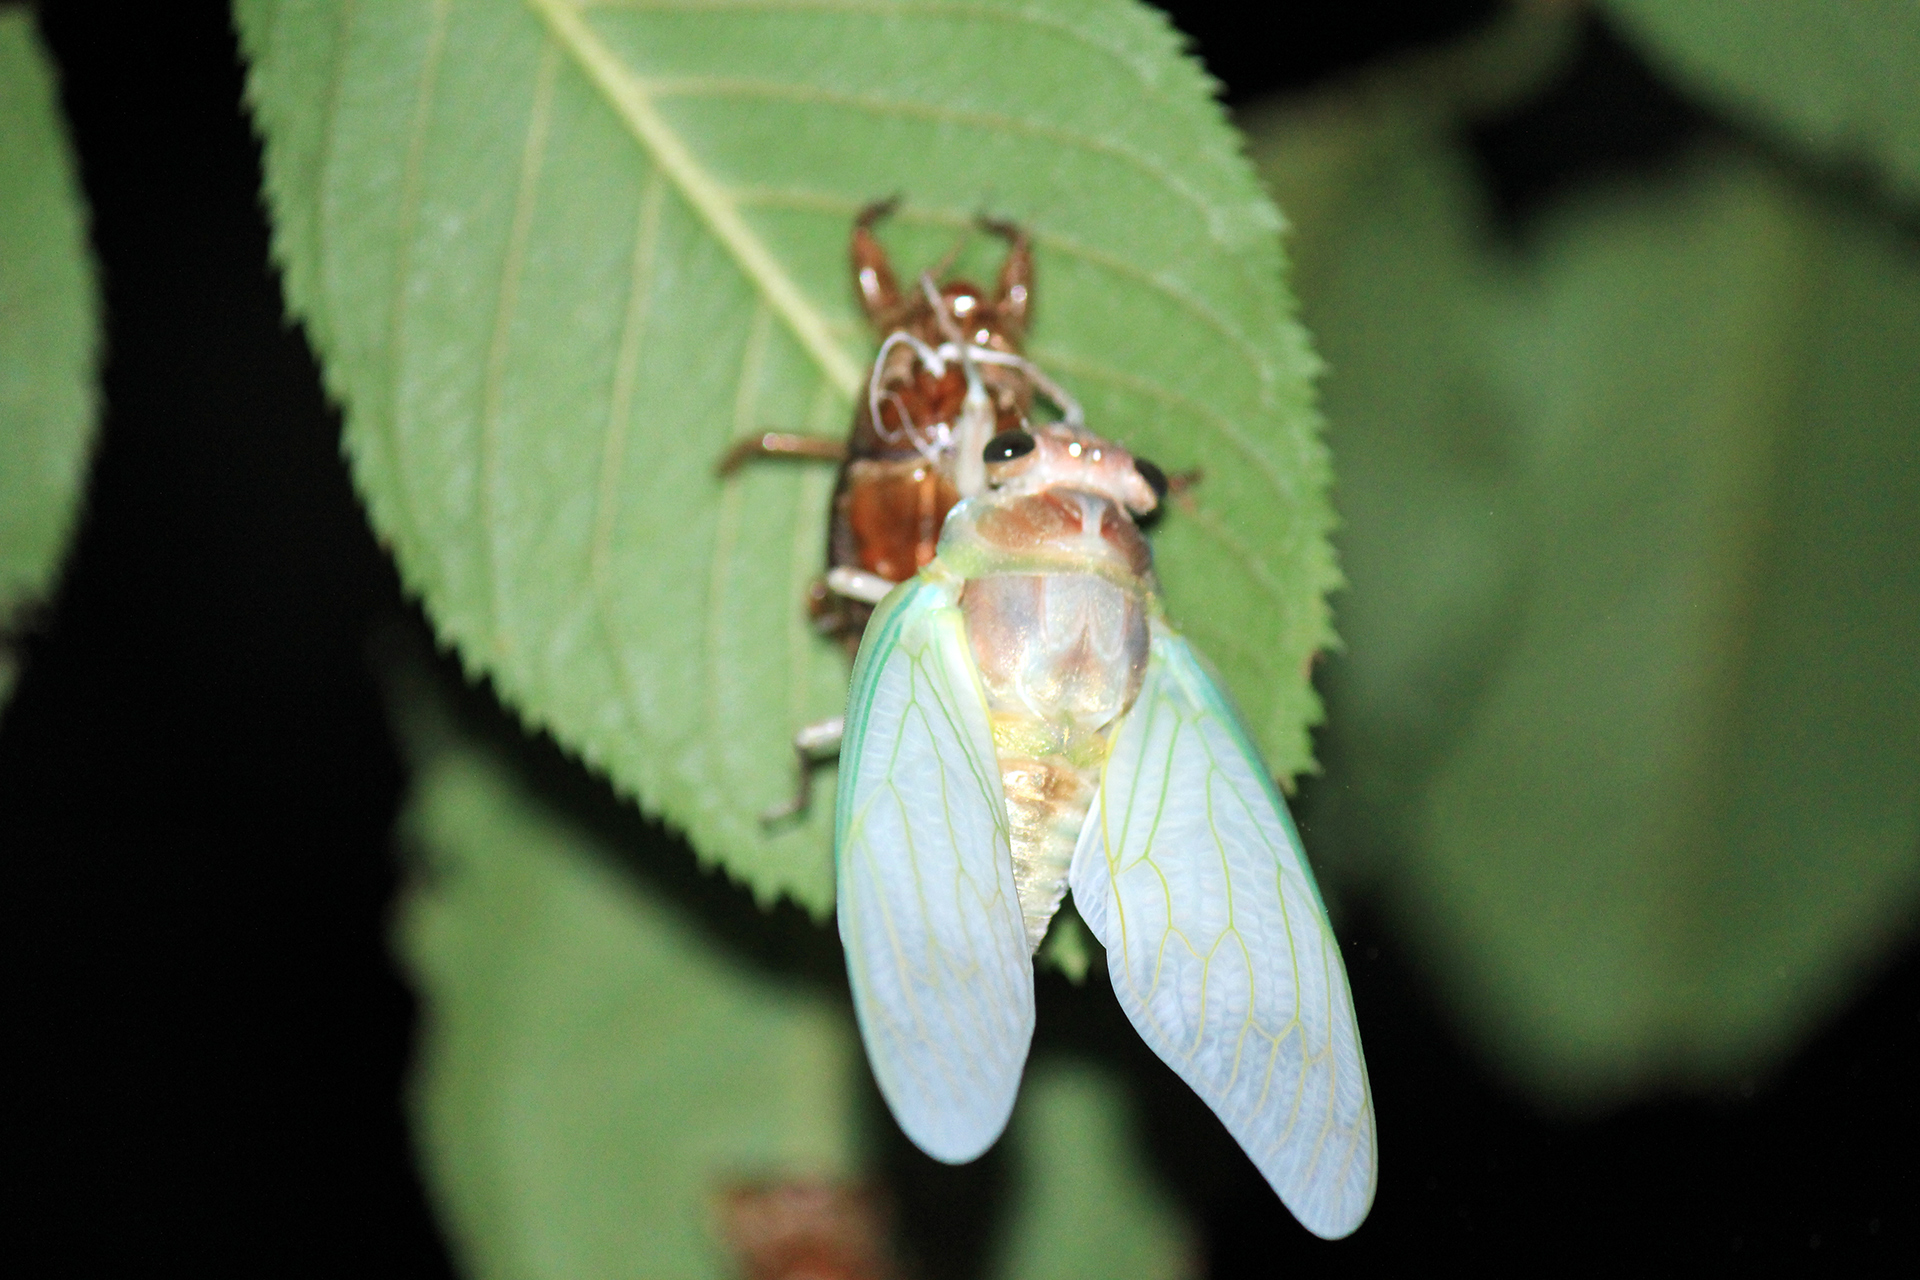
column 197, row 784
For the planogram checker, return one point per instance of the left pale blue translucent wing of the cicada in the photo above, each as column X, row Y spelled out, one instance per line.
column 928, row 913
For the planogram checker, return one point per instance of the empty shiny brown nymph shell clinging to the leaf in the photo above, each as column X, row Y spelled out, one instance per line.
column 948, row 379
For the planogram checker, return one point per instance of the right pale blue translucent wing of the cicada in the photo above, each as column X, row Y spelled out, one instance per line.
column 1191, row 874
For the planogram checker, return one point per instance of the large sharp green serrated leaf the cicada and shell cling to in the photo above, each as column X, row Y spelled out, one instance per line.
column 556, row 258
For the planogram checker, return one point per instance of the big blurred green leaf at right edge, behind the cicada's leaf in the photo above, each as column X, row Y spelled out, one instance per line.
column 1687, row 813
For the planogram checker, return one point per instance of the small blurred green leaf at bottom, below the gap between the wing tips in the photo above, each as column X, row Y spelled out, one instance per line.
column 1090, row 1206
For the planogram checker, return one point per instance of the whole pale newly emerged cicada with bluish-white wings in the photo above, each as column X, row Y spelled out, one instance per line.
column 1024, row 721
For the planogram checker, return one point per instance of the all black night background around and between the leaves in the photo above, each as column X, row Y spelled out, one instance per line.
column 197, row 794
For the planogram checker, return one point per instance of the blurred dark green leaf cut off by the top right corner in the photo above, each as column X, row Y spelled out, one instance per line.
column 1836, row 80
